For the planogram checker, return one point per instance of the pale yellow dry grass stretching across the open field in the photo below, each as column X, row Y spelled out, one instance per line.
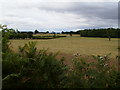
column 75, row 44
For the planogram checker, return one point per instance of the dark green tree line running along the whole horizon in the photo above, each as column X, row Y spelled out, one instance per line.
column 104, row 33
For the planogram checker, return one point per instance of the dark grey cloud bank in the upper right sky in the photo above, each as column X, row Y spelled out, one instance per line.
column 105, row 10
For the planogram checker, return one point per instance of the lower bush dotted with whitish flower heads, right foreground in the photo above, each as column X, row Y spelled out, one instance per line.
column 97, row 74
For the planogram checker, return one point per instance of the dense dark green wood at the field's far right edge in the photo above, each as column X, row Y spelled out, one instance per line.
column 110, row 33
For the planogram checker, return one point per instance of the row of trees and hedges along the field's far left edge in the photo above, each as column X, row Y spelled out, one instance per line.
column 15, row 34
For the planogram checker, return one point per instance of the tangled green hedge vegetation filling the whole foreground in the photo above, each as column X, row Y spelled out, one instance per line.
column 32, row 68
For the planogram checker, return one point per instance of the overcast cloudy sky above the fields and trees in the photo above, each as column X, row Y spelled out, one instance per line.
column 58, row 15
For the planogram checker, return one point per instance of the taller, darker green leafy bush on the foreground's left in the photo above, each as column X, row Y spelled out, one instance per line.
column 33, row 69
